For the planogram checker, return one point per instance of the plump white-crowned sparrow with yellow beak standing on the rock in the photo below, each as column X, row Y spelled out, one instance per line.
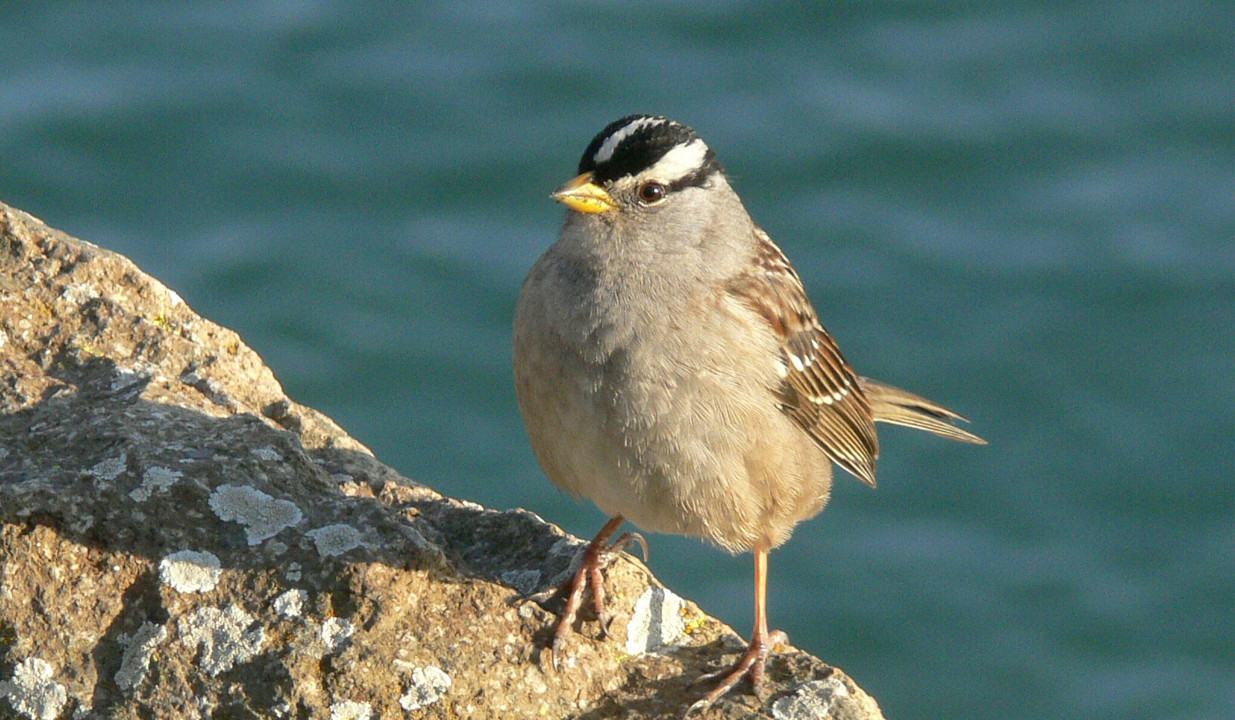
column 671, row 369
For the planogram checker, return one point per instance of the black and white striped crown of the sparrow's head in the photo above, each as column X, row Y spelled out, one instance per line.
column 650, row 143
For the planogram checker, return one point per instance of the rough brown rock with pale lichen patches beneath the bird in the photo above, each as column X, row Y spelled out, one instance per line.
column 181, row 540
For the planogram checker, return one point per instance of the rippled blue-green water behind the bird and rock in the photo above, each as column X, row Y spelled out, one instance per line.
column 1026, row 211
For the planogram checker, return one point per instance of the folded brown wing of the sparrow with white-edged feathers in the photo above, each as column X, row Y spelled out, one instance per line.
column 821, row 391
